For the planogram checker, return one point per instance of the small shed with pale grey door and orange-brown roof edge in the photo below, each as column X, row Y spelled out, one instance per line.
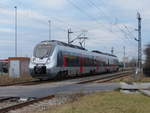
column 18, row 66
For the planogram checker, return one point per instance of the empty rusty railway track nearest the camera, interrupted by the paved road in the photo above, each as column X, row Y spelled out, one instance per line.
column 32, row 101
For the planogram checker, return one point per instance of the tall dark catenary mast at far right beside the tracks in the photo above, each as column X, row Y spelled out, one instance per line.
column 139, row 43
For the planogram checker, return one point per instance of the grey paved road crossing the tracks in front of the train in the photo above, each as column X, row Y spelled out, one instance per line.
column 47, row 89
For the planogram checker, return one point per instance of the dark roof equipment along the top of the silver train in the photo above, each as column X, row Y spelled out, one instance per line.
column 76, row 47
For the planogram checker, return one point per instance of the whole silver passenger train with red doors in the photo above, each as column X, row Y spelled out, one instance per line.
column 53, row 59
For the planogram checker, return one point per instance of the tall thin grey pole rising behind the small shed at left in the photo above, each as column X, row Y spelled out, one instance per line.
column 15, row 31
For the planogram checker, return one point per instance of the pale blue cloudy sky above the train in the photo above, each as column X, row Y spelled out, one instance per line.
column 107, row 24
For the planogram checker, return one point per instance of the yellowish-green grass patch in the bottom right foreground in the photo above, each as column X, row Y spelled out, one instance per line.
column 106, row 102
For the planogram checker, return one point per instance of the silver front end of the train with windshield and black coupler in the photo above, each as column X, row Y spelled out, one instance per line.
column 42, row 63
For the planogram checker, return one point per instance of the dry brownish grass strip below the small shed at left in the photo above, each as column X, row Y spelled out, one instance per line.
column 5, row 79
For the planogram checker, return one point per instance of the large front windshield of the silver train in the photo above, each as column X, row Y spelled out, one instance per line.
column 43, row 51
